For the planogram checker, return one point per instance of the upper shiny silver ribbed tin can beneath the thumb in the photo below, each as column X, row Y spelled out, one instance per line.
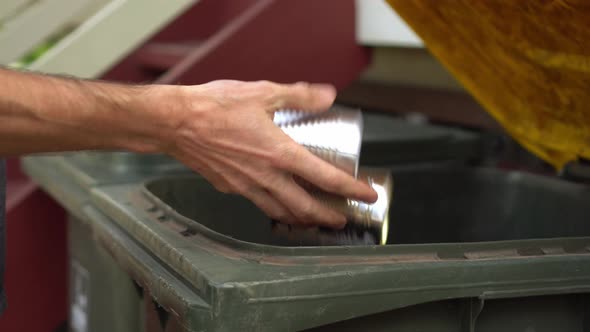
column 335, row 136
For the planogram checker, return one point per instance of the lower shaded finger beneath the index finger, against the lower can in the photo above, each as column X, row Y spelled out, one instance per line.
column 306, row 209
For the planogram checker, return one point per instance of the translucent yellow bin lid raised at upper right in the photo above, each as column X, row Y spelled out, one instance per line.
column 526, row 62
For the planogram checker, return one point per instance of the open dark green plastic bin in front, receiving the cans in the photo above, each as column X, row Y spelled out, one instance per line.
column 465, row 244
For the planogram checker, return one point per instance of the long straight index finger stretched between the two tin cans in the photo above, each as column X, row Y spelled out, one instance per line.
column 326, row 176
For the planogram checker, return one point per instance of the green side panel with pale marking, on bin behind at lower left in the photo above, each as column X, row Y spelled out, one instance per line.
column 102, row 297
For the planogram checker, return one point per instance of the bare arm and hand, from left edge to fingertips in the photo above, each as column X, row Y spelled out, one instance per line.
column 223, row 130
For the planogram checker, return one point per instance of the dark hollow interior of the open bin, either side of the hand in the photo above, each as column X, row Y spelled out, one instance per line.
column 433, row 205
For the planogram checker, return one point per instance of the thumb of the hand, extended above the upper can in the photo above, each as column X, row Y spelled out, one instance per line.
column 303, row 96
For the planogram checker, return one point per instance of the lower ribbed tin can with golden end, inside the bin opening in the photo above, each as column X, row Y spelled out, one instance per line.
column 367, row 223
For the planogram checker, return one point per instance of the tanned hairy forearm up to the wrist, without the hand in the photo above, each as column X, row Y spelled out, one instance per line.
column 45, row 114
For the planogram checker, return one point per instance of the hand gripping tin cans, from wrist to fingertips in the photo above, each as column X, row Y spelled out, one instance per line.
column 224, row 130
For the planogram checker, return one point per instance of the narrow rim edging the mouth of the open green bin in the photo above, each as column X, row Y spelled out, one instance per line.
column 390, row 252
